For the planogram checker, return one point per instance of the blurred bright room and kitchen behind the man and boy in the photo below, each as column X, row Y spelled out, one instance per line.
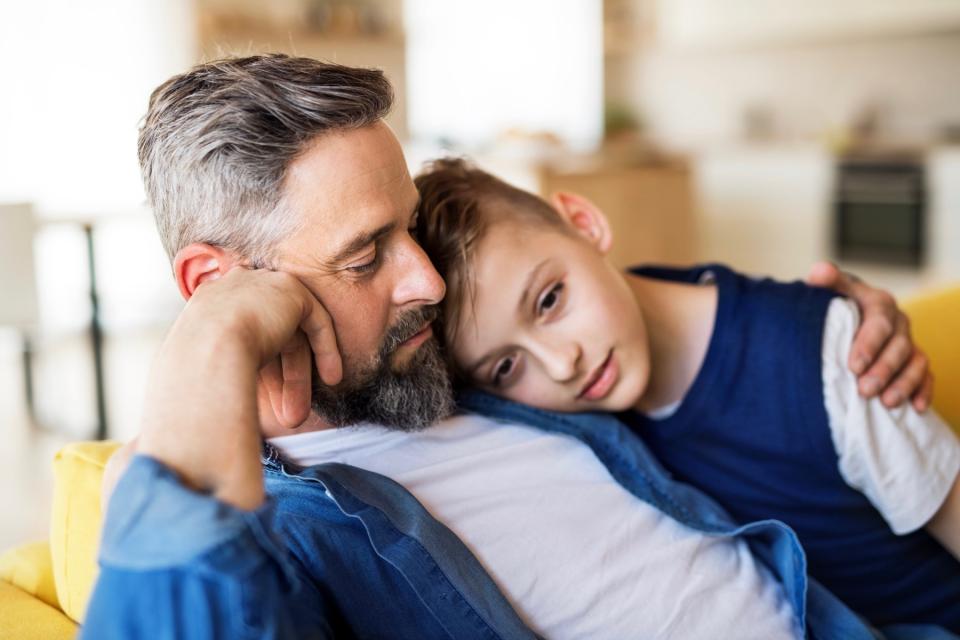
column 763, row 134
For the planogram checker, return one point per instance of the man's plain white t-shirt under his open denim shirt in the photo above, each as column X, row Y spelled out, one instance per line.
column 575, row 553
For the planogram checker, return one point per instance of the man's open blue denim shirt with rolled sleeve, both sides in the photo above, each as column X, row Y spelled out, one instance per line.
column 338, row 551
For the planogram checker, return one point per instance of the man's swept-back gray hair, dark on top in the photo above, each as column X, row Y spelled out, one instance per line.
column 217, row 140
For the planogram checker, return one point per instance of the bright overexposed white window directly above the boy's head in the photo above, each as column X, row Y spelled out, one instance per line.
column 475, row 69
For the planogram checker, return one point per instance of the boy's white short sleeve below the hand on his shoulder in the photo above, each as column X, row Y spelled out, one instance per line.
column 903, row 461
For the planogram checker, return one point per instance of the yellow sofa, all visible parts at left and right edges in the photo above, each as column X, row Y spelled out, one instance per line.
column 44, row 587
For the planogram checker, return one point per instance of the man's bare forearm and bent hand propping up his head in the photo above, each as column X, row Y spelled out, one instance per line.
column 200, row 415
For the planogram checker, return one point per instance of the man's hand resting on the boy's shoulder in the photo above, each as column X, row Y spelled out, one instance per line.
column 883, row 356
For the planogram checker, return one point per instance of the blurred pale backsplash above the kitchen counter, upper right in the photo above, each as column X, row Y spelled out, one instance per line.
column 812, row 91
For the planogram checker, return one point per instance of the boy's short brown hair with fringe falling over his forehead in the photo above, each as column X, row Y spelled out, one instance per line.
column 458, row 203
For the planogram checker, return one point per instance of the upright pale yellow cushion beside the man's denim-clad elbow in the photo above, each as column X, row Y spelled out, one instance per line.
column 75, row 524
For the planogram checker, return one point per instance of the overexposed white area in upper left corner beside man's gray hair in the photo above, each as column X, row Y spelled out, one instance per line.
column 77, row 76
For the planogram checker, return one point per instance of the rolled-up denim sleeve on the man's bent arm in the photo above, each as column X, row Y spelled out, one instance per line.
column 175, row 563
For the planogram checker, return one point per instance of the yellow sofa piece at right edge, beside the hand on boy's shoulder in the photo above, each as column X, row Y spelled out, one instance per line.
column 935, row 319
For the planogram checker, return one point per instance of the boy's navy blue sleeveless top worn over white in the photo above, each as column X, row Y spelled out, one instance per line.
column 753, row 433
